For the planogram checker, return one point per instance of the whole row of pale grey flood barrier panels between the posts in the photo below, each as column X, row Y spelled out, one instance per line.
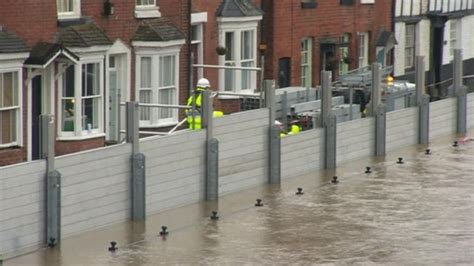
column 96, row 184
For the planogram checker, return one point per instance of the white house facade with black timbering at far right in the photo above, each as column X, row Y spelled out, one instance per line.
column 433, row 28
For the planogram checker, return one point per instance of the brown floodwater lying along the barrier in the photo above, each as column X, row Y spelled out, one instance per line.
column 419, row 212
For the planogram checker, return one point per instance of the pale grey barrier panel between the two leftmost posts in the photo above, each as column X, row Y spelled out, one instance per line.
column 95, row 188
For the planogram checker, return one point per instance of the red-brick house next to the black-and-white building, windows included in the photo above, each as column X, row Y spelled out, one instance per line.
column 307, row 36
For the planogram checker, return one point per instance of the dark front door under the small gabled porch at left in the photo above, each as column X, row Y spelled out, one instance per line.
column 36, row 96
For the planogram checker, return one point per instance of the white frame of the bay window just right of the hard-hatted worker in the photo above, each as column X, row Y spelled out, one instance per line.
column 237, row 26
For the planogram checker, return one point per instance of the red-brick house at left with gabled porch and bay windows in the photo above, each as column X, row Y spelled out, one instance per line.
column 78, row 59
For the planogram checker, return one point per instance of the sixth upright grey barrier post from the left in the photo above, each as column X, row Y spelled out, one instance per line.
column 378, row 111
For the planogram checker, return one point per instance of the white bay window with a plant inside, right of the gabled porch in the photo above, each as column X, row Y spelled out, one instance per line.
column 81, row 98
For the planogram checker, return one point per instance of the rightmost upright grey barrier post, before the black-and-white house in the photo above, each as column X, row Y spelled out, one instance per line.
column 461, row 93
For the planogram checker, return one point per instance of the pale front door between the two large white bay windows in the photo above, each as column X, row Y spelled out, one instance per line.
column 115, row 88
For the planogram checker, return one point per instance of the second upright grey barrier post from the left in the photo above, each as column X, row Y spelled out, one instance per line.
column 138, row 164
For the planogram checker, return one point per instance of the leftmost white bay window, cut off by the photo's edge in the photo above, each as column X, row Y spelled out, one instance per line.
column 10, row 99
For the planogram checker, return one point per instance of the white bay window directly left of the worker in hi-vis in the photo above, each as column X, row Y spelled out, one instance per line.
column 158, row 84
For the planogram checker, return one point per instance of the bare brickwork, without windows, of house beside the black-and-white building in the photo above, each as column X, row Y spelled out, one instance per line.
column 286, row 23
